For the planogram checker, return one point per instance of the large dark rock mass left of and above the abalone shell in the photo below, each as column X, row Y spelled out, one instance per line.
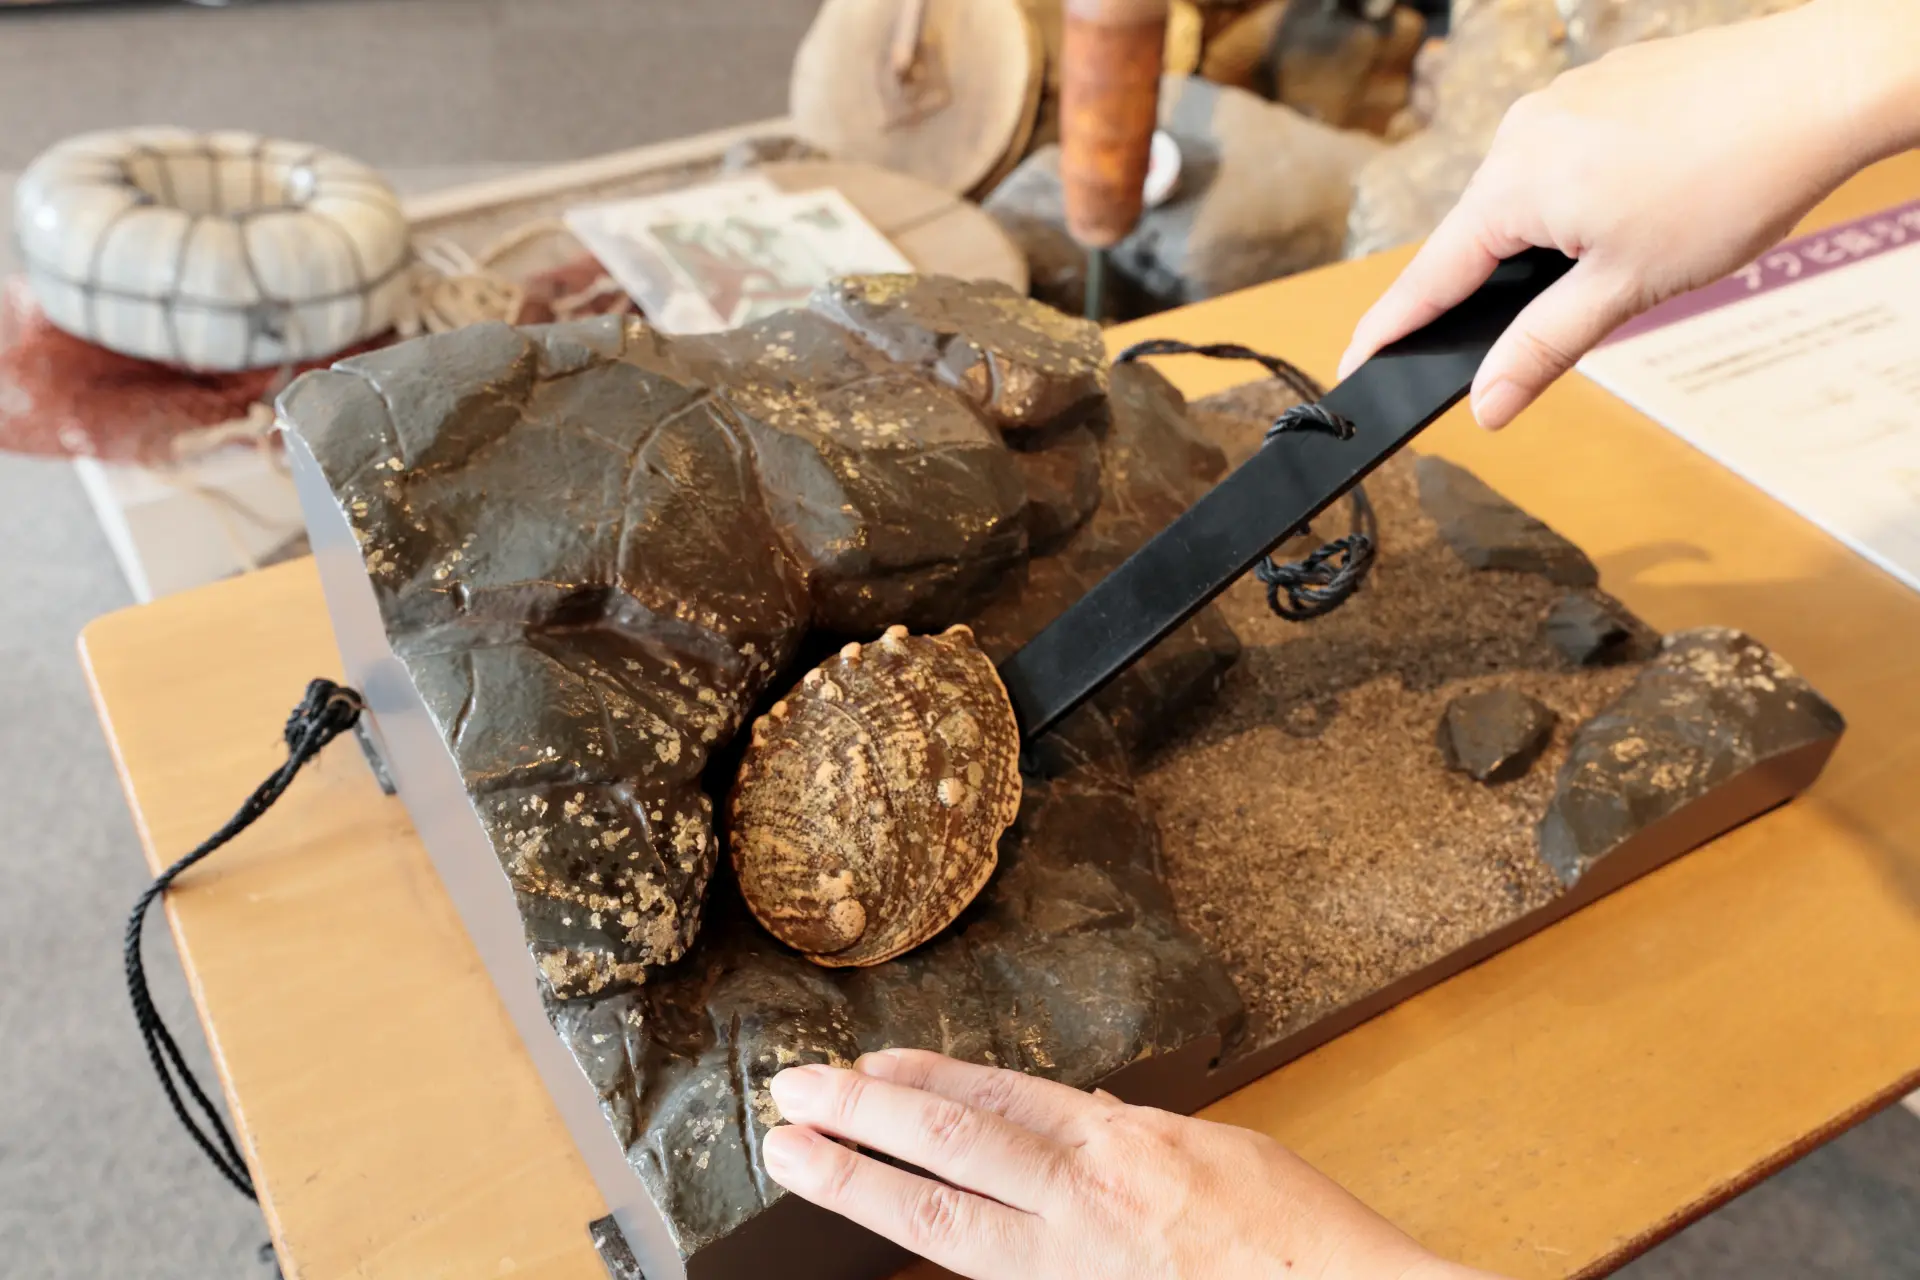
column 598, row 548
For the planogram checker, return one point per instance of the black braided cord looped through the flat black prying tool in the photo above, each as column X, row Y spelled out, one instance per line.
column 1330, row 577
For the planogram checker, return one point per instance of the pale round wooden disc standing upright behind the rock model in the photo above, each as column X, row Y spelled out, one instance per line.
column 969, row 97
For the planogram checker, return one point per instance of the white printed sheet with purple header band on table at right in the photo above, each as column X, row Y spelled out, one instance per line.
column 1800, row 373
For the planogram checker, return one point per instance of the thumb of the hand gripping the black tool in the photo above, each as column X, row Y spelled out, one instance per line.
column 1547, row 341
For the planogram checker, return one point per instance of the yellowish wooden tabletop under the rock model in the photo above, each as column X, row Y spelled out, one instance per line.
column 1545, row 1114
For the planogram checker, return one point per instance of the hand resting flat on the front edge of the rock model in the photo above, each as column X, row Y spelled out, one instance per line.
column 1042, row 1181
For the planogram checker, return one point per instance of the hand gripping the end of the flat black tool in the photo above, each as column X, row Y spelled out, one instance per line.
column 1660, row 168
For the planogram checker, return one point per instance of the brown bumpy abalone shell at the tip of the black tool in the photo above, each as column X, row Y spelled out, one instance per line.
column 871, row 803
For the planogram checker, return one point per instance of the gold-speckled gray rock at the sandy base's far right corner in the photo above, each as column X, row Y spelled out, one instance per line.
column 1712, row 707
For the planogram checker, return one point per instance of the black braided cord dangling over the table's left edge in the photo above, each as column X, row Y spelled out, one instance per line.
column 322, row 717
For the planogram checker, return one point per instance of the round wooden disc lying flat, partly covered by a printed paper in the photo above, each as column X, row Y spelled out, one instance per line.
column 936, row 231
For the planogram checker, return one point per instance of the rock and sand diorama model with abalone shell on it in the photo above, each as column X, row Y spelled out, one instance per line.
column 688, row 644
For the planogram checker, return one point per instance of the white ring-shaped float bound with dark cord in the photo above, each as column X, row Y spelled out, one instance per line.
column 214, row 252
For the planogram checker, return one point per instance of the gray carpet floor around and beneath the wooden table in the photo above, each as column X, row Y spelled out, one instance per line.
column 95, row 1179
